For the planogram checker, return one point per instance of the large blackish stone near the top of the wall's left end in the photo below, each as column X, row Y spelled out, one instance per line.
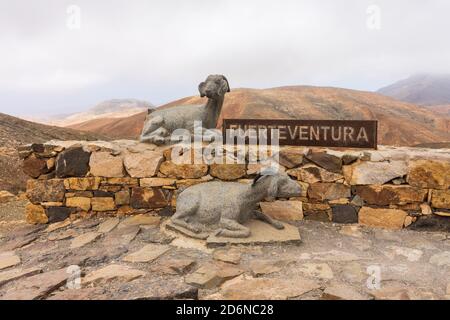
column 72, row 162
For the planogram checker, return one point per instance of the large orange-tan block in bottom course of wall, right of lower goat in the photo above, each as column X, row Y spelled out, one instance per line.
column 385, row 218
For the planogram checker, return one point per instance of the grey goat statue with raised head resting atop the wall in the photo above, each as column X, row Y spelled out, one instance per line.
column 160, row 124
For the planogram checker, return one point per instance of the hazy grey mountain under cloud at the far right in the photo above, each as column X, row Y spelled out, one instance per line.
column 421, row 89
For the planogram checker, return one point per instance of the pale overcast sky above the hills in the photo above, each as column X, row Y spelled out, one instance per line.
column 62, row 56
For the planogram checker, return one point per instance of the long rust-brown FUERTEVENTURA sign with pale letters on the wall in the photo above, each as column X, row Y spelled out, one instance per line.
column 319, row 133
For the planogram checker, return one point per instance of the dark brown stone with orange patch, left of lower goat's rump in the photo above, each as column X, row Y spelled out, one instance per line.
column 148, row 198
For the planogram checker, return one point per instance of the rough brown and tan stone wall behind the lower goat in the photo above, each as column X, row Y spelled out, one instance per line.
column 390, row 187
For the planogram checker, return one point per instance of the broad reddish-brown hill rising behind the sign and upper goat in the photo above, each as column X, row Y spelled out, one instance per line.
column 400, row 123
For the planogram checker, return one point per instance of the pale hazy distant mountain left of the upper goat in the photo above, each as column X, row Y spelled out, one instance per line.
column 115, row 108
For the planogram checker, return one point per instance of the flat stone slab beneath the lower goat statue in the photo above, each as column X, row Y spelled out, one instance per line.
column 261, row 233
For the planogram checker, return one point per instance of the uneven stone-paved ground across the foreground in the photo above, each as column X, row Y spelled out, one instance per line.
column 130, row 258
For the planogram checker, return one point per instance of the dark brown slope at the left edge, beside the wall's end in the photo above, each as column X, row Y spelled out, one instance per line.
column 15, row 131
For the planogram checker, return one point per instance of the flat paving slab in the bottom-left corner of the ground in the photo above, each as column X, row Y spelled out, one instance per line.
column 38, row 286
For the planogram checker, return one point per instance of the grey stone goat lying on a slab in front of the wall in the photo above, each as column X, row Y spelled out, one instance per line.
column 223, row 207
